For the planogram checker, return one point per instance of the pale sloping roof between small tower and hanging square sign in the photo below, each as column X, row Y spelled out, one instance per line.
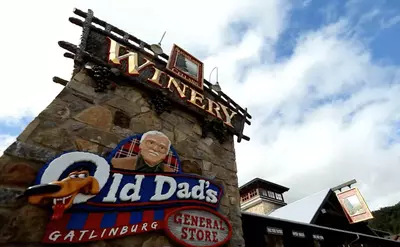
column 303, row 210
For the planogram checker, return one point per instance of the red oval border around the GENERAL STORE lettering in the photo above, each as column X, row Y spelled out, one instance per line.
column 173, row 237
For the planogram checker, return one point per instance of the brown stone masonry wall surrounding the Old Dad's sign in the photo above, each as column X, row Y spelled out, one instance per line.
column 80, row 119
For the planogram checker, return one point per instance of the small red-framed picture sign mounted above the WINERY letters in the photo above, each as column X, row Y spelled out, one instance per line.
column 186, row 67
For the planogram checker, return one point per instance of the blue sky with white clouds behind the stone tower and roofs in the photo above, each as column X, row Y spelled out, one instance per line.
column 322, row 78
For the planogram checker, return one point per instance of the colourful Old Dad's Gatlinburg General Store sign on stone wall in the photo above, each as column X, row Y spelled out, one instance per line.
column 136, row 189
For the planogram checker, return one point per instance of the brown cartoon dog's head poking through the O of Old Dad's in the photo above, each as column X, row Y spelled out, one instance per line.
column 62, row 193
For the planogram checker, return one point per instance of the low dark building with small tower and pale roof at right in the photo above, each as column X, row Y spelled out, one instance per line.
column 314, row 221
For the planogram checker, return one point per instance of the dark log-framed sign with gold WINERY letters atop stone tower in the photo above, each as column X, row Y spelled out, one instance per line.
column 115, row 58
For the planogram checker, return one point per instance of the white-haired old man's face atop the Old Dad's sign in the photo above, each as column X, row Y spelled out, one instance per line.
column 154, row 149
